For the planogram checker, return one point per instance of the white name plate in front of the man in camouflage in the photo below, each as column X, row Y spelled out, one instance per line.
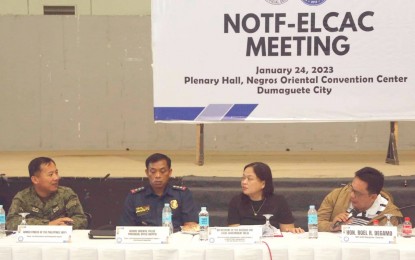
column 41, row 233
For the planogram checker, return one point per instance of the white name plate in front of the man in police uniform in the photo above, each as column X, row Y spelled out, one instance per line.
column 145, row 235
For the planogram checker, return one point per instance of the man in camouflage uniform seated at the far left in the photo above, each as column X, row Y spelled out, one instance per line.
column 46, row 202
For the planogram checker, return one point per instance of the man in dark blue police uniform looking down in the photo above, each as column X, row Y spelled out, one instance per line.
column 143, row 206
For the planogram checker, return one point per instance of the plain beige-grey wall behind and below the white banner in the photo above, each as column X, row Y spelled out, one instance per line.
column 85, row 82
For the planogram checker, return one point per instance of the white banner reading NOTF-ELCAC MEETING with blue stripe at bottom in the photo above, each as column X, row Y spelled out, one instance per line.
column 283, row 60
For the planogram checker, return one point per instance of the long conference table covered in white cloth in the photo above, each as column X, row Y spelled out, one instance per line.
column 184, row 246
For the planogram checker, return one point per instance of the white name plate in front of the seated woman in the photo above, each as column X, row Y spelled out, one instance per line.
column 235, row 235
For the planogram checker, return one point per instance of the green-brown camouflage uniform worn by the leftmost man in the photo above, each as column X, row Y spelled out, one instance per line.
column 63, row 203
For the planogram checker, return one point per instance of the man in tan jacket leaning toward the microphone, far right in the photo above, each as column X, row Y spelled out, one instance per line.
column 358, row 203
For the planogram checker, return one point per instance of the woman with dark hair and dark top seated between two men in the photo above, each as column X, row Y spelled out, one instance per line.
column 258, row 198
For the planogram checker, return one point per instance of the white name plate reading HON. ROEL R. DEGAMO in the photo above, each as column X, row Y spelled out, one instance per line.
column 369, row 234
